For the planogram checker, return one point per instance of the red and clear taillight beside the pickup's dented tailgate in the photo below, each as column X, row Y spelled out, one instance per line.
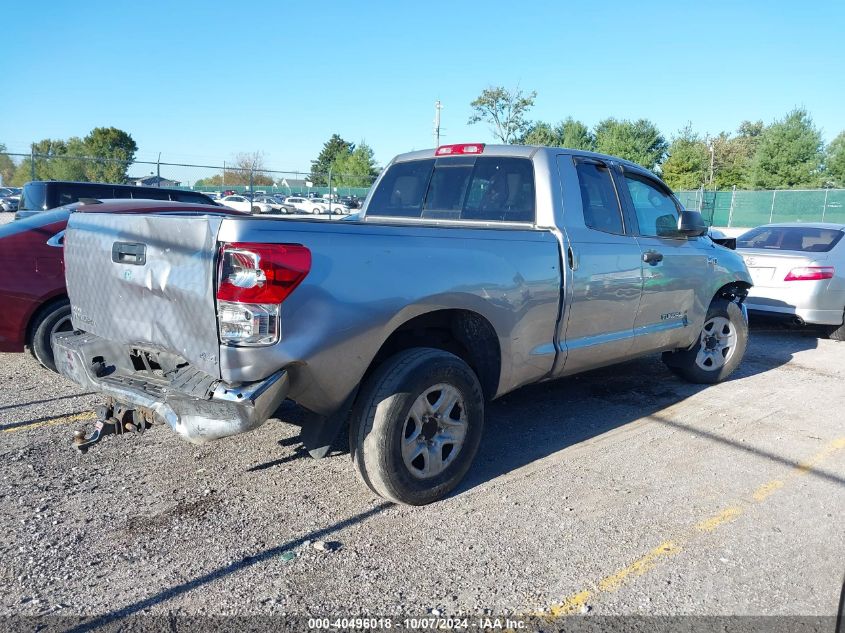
column 253, row 280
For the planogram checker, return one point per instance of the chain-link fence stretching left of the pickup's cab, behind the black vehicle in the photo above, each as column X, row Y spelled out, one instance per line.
column 205, row 178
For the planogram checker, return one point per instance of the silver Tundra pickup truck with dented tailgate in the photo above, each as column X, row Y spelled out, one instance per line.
column 471, row 271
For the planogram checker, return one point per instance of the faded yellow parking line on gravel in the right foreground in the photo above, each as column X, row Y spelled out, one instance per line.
column 576, row 602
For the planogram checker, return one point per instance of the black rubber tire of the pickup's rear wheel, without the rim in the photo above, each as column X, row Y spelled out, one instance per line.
column 382, row 413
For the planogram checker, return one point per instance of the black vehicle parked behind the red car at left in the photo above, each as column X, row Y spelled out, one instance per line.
column 41, row 195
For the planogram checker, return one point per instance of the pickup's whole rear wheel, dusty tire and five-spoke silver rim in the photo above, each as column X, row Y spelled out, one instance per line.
column 416, row 426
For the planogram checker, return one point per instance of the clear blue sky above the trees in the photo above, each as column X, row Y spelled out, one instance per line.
column 202, row 81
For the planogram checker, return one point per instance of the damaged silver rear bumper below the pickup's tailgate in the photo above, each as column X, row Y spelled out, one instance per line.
column 196, row 406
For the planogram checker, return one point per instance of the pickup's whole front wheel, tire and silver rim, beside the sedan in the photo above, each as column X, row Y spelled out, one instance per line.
column 719, row 349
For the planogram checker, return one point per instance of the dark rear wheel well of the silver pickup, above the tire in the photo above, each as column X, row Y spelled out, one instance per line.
column 464, row 333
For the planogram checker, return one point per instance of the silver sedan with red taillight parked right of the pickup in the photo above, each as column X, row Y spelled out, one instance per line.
column 799, row 273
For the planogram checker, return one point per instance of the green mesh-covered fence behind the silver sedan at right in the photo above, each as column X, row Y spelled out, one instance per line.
column 747, row 209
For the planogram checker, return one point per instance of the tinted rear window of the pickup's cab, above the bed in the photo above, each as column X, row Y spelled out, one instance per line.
column 484, row 188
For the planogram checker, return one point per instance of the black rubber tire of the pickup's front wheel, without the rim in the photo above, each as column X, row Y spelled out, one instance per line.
column 685, row 364
